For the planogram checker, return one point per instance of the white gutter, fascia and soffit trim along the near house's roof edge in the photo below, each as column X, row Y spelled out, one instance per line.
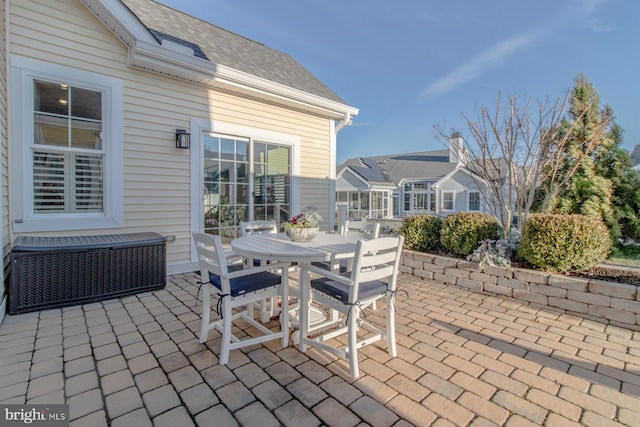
column 146, row 52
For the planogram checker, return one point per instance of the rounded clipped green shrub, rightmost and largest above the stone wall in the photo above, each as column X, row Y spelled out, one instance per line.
column 557, row 242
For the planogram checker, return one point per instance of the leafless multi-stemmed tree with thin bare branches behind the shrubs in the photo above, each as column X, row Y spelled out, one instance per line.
column 512, row 149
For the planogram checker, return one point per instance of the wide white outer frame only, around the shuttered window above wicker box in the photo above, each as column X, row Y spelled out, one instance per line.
column 23, row 73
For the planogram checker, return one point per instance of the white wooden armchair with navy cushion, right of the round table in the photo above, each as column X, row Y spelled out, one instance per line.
column 373, row 277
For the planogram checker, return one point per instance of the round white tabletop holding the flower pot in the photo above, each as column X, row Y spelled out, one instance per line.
column 278, row 247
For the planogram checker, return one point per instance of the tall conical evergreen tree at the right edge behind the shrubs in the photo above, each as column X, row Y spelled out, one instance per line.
column 601, row 182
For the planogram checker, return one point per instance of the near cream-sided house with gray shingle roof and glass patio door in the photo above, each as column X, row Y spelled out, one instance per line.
column 92, row 93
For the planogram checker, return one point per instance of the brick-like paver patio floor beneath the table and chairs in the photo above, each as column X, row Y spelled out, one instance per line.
column 464, row 359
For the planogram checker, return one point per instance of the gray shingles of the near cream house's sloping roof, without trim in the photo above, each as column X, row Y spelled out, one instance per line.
column 226, row 48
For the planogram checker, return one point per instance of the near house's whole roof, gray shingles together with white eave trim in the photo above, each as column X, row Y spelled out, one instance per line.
column 171, row 42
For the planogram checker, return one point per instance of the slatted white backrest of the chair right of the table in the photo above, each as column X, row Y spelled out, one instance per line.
column 376, row 259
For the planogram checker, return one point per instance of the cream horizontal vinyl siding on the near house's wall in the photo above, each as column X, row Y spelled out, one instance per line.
column 157, row 185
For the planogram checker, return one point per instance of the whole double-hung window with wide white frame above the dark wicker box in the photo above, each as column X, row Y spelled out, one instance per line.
column 67, row 140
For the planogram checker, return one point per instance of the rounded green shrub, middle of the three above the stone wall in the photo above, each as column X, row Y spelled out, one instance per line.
column 462, row 232
